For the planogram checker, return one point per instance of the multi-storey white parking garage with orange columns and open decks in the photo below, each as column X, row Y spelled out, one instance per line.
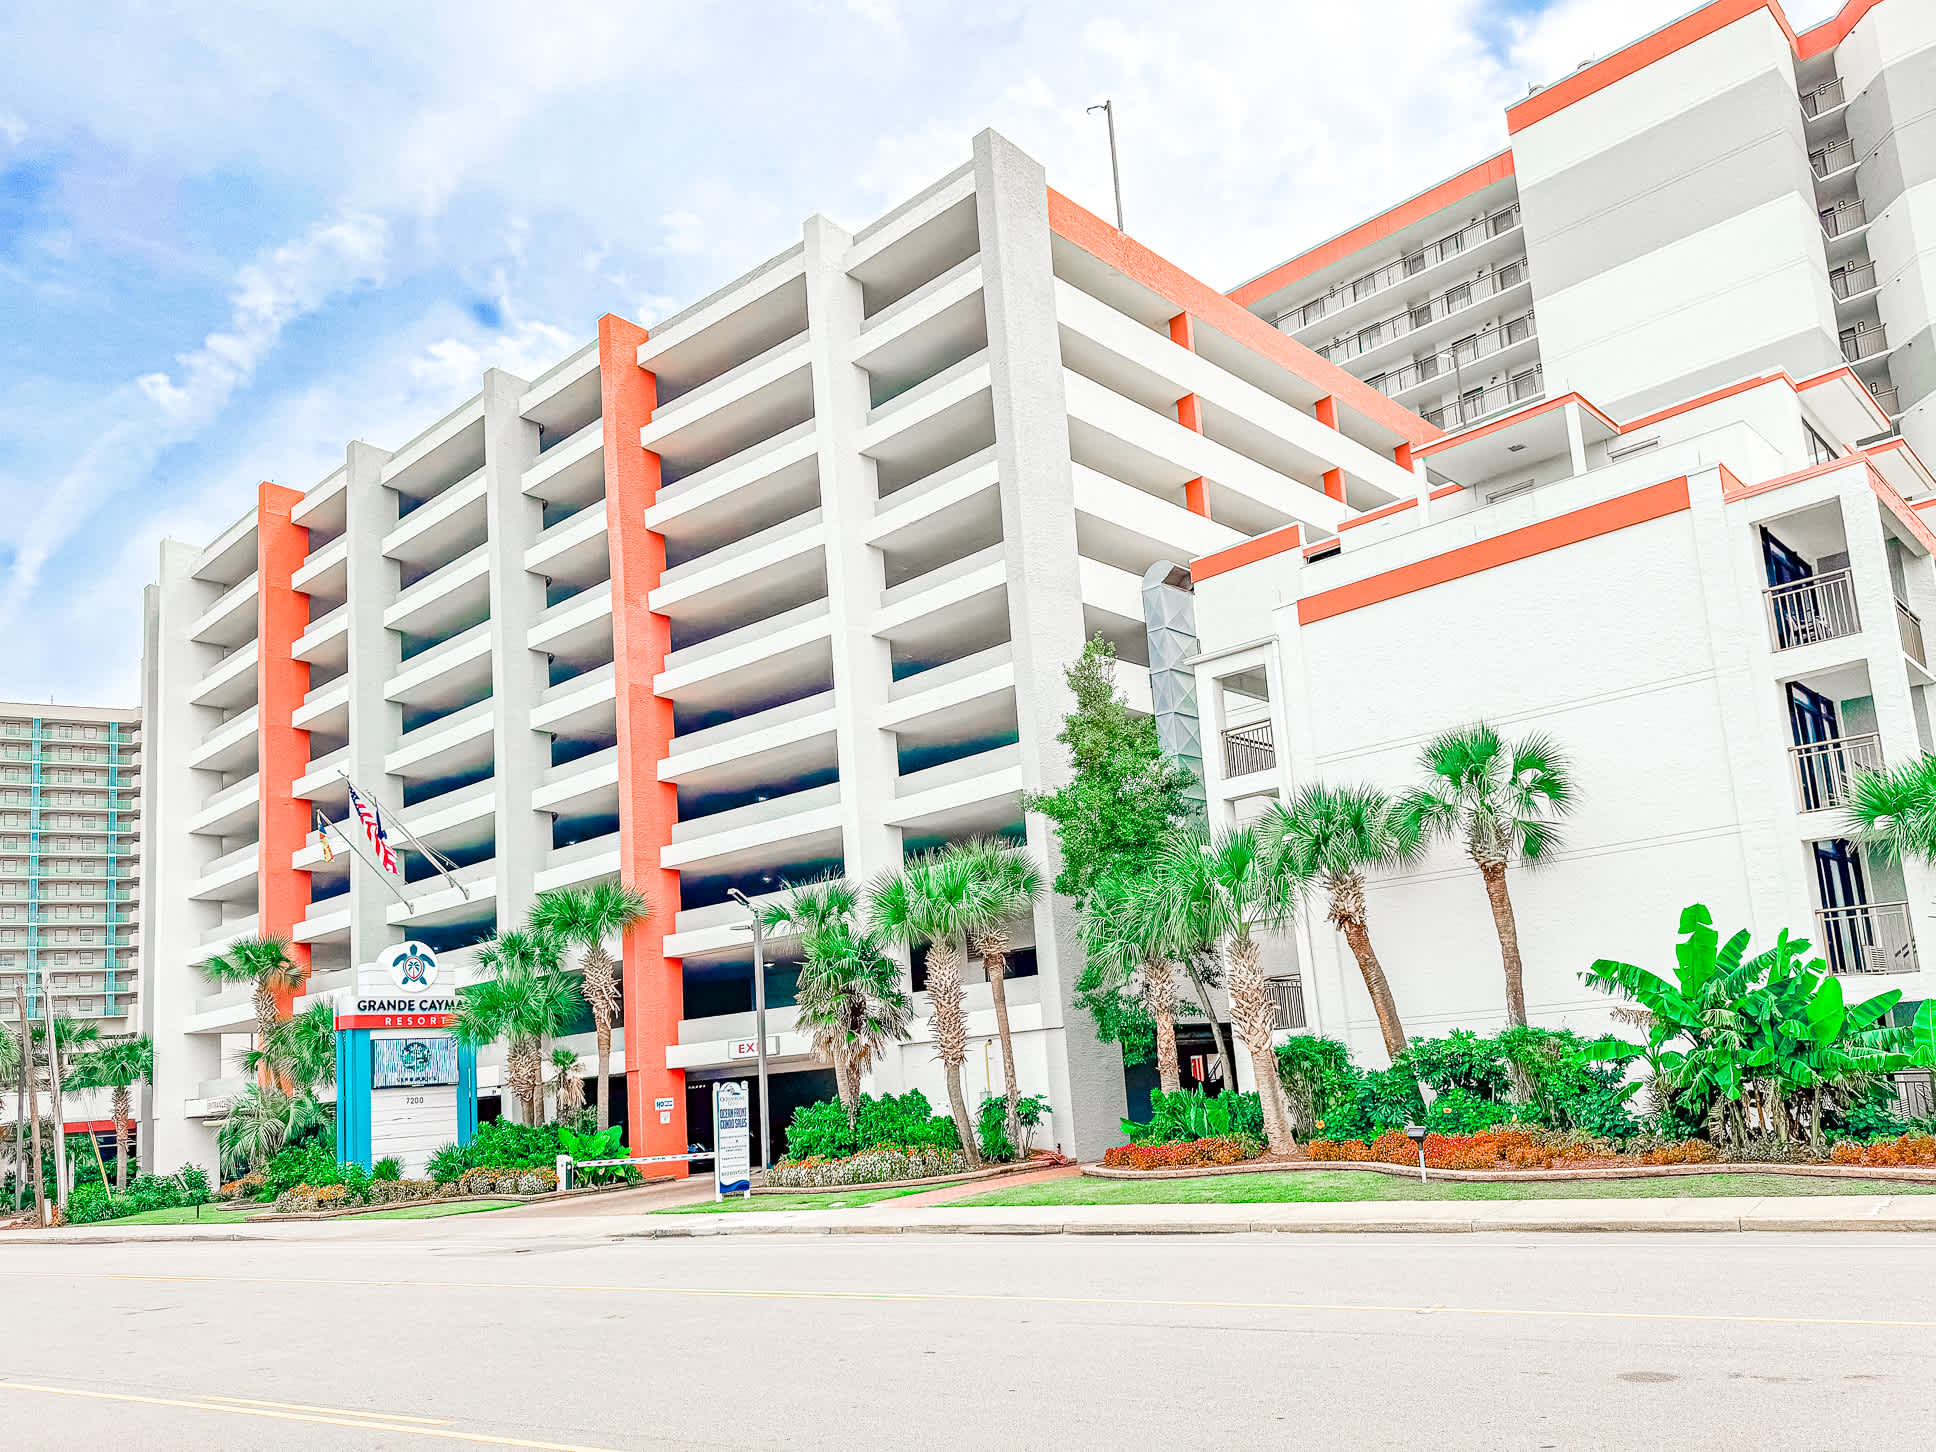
column 785, row 586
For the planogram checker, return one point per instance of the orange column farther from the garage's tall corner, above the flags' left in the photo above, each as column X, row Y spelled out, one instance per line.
column 284, row 750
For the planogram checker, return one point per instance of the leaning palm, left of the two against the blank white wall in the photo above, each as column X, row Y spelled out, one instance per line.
column 1329, row 837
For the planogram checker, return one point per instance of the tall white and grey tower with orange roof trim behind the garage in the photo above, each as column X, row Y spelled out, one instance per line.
column 1720, row 198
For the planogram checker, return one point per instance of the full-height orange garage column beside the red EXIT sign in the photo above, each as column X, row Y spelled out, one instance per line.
column 648, row 808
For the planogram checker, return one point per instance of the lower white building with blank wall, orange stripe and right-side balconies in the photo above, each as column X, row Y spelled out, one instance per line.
column 1716, row 613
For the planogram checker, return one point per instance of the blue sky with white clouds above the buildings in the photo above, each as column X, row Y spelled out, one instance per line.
column 237, row 237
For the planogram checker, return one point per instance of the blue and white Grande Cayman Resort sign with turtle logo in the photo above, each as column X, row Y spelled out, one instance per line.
column 402, row 1075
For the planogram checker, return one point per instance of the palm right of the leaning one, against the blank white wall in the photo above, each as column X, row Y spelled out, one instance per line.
column 1503, row 801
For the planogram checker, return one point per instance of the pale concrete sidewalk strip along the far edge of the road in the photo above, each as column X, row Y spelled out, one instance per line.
column 1829, row 1213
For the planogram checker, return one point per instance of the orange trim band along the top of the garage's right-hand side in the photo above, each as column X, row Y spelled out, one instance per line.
column 1205, row 305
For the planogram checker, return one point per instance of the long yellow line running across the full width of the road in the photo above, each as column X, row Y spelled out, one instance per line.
column 983, row 1298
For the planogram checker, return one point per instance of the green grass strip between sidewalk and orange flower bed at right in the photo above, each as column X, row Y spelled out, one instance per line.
column 1331, row 1186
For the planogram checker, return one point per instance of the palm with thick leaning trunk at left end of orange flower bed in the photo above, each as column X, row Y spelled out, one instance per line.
column 1219, row 890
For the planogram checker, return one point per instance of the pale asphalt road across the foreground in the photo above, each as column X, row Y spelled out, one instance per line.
column 977, row 1341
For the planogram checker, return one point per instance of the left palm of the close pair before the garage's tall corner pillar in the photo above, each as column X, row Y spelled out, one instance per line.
column 938, row 899
